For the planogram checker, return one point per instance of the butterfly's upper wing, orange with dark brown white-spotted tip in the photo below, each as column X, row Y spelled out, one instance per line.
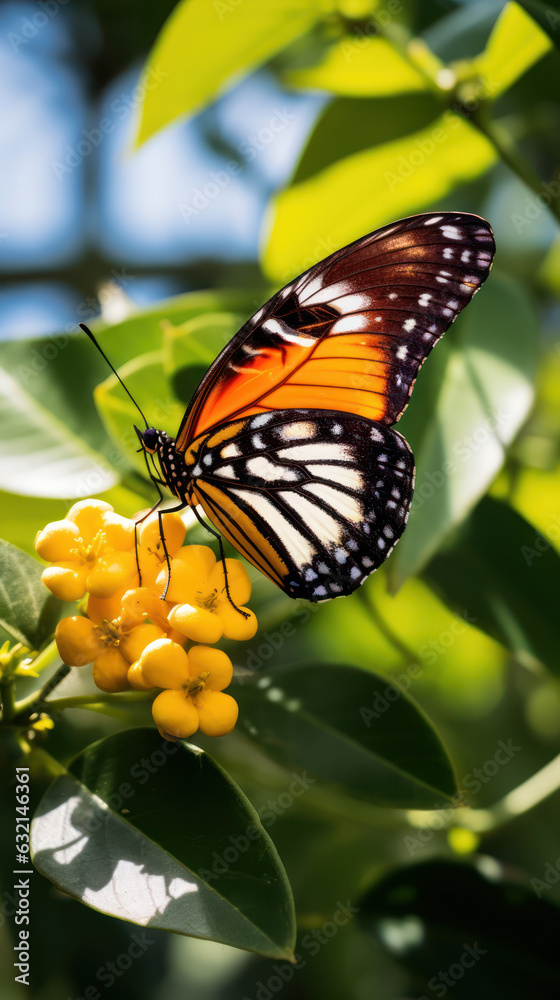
column 351, row 333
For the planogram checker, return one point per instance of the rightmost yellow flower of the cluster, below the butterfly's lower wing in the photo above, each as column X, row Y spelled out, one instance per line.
column 203, row 611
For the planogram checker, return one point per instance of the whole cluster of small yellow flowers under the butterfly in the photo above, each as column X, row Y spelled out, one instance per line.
column 134, row 637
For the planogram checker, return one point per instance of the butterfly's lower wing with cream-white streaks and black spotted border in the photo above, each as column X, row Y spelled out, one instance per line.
column 315, row 499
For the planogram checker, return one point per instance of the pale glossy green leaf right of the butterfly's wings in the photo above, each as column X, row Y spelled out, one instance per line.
column 484, row 396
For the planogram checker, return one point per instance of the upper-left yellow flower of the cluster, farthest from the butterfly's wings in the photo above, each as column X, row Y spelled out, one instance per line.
column 91, row 550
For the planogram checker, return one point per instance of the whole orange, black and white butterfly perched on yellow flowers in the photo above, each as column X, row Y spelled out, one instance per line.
column 288, row 443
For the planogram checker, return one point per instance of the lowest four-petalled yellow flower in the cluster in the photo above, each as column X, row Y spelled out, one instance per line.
column 196, row 700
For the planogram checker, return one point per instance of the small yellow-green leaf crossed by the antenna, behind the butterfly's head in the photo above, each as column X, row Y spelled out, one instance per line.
column 146, row 380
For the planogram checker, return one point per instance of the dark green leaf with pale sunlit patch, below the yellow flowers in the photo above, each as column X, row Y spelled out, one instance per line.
column 158, row 834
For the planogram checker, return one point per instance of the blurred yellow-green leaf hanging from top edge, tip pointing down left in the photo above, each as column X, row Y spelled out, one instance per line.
column 204, row 46
